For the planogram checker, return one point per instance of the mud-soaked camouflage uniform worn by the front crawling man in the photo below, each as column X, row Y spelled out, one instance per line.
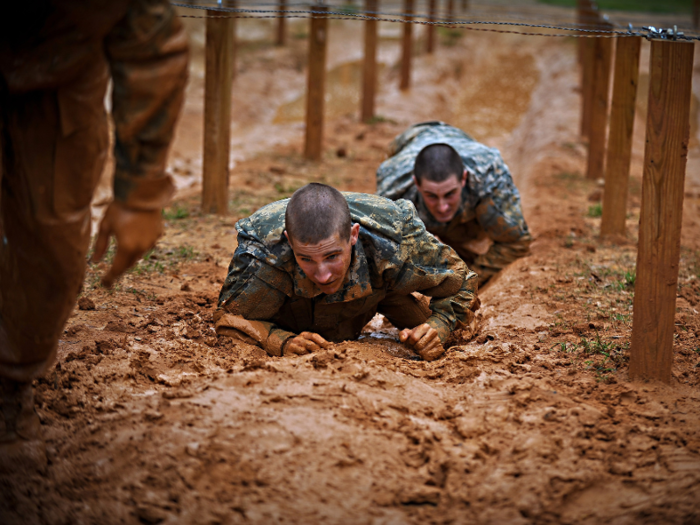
column 267, row 298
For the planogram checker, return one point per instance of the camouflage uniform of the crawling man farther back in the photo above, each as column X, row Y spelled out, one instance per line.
column 490, row 201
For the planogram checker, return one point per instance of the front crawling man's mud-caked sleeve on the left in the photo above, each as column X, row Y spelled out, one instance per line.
column 252, row 294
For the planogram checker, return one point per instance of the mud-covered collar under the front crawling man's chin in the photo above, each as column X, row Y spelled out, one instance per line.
column 355, row 286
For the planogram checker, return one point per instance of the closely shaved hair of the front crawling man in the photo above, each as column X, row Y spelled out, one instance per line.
column 316, row 212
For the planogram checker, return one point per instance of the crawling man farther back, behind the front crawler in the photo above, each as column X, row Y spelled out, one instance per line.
column 462, row 191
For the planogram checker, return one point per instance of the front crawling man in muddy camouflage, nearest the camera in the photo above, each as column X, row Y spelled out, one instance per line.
column 317, row 267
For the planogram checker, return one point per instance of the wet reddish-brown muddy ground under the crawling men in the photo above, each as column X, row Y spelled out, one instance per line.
column 149, row 417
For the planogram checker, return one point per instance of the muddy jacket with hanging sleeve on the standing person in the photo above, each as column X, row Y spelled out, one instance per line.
column 45, row 46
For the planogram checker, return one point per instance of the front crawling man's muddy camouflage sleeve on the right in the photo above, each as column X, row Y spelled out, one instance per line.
column 434, row 269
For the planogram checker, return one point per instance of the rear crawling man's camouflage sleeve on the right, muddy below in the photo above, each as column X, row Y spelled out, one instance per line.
column 501, row 217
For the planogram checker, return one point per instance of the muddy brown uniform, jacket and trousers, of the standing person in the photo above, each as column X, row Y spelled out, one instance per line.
column 56, row 58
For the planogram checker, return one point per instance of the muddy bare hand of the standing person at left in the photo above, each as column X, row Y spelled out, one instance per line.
column 136, row 232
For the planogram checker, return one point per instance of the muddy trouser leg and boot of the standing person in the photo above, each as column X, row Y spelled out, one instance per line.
column 54, row 145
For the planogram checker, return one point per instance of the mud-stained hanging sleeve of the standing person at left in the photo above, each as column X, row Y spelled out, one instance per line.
column 148, row 57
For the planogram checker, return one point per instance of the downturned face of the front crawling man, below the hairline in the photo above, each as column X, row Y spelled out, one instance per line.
column 326, row 263
